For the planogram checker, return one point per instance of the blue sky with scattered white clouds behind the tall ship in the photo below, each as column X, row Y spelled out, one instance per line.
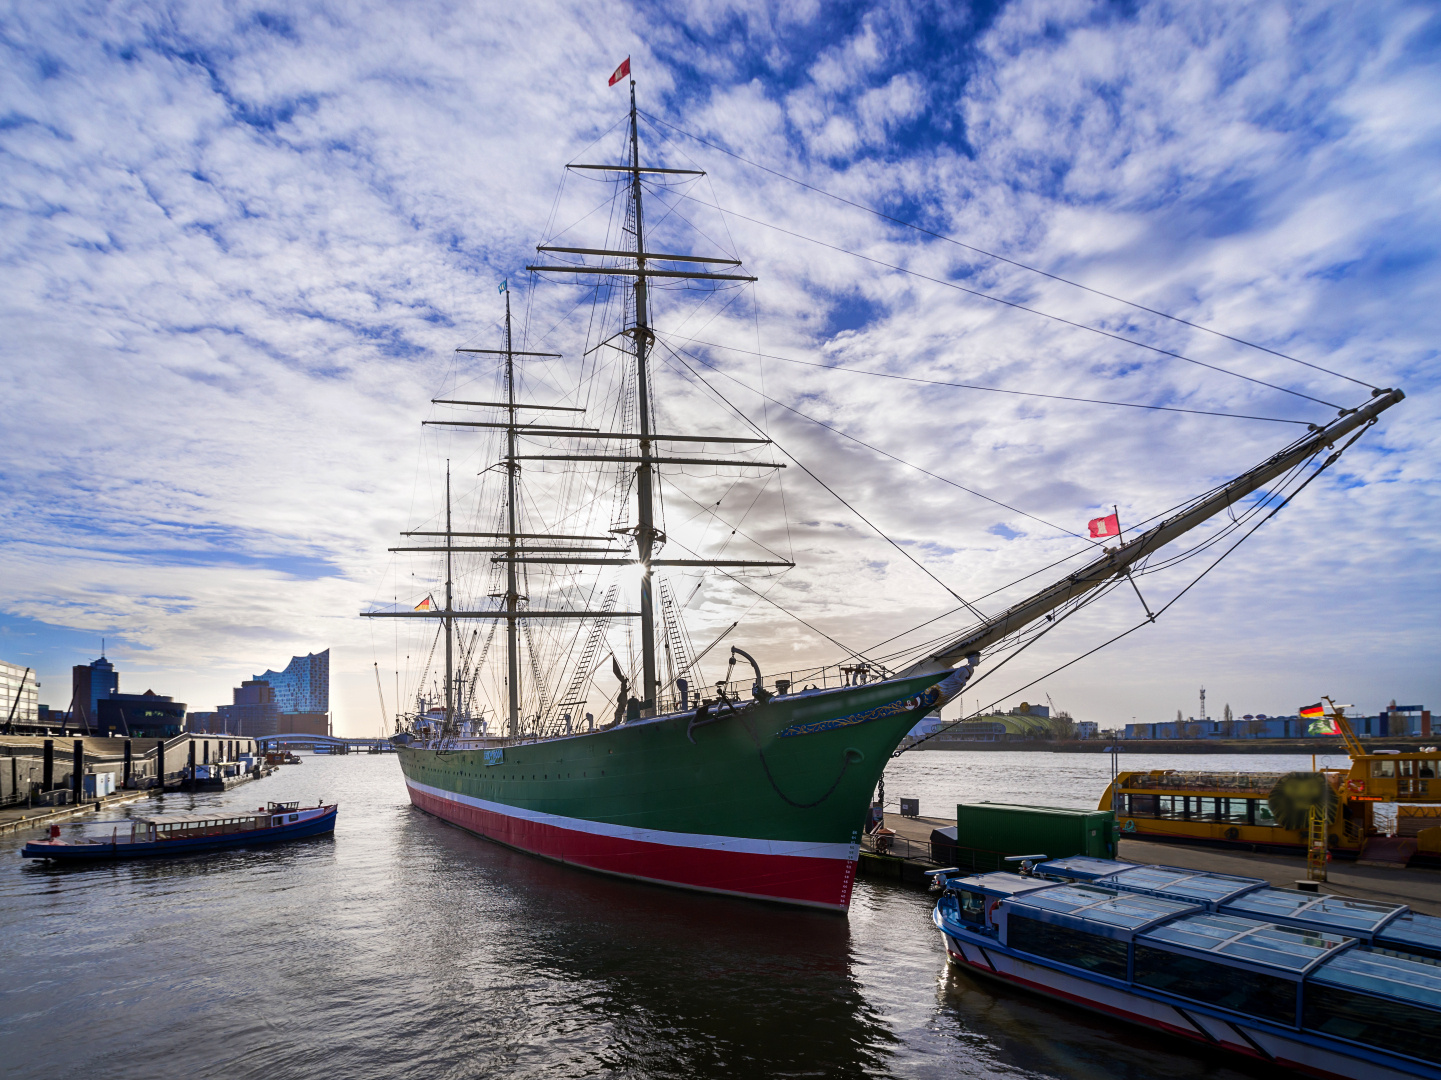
column 240, row 244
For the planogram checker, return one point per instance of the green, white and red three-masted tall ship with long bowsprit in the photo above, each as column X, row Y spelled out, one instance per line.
column 623, row 759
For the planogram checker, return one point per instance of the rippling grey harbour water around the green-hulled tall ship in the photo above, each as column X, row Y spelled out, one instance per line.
column 406, row 948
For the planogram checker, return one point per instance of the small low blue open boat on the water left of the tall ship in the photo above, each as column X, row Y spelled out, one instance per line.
column 188, row 834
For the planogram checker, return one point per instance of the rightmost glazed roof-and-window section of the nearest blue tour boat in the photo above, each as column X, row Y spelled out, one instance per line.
column 1378, row 1000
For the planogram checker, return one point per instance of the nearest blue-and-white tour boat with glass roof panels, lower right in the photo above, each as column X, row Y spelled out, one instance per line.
column 1175, row 958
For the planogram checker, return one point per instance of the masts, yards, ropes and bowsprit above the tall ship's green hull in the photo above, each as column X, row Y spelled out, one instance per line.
column 566, row 642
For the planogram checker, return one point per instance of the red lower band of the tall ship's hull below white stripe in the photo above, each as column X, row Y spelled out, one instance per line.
column 809, row 882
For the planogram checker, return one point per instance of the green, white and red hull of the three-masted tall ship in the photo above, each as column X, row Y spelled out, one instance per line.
column 767, row 801
